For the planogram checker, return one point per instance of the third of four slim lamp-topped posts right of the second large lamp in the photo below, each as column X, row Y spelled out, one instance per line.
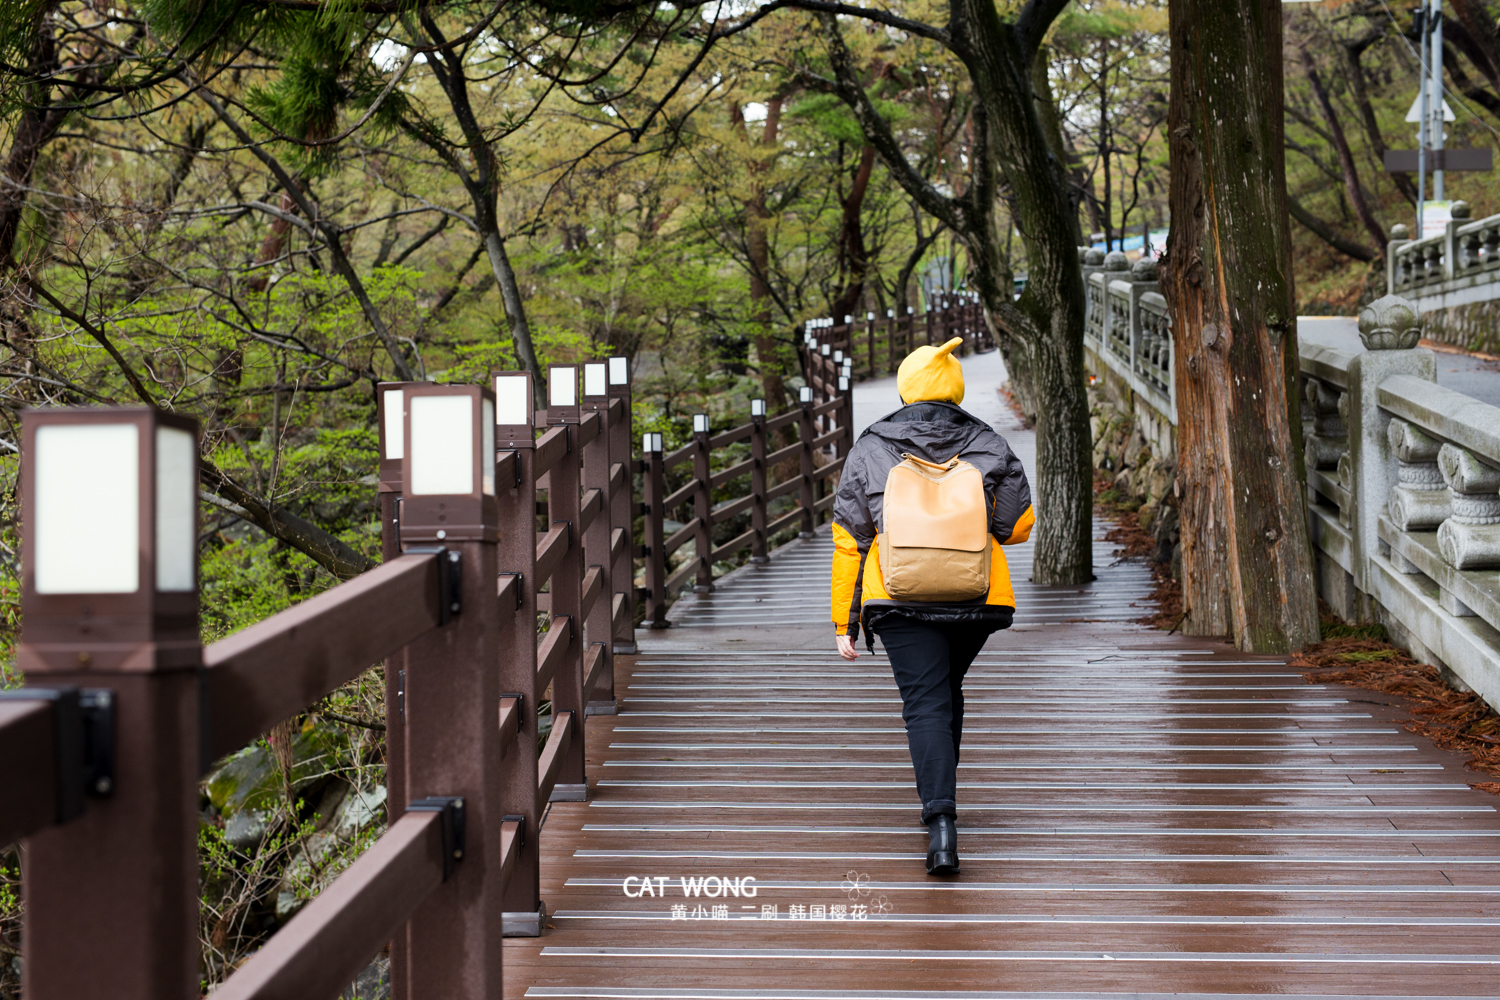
column 601, row 624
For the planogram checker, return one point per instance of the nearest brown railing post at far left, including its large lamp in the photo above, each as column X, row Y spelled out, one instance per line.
column 110, row 600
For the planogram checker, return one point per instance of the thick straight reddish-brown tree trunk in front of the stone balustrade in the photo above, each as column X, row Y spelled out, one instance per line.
column 1246, row 558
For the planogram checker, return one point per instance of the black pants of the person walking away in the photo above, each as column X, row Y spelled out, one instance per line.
column 929, row 660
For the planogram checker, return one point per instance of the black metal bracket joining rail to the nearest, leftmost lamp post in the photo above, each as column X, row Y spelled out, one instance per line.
column 83, row 743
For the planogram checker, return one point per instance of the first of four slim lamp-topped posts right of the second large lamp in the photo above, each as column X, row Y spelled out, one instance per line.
column 524, row 914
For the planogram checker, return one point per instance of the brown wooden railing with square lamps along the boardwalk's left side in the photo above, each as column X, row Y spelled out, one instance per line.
column 103, row 759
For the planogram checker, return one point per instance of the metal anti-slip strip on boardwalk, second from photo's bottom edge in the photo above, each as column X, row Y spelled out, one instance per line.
column 902, row 954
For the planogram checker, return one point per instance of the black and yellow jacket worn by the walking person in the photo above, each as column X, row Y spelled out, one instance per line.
column 935, row 433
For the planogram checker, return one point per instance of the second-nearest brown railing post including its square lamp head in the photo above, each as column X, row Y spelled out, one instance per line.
column 452, row 695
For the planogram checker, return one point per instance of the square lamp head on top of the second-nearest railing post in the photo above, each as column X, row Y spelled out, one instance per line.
column 449, row 490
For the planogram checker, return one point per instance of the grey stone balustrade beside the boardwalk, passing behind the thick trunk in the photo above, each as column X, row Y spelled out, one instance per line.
column 1403, row 475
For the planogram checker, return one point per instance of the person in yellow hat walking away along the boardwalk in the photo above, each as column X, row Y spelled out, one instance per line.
column 928, row 497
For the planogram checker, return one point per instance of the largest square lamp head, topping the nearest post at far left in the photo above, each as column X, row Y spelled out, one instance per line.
column 109, row 540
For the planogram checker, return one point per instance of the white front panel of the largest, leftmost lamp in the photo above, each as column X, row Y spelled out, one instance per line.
column 88, row 507
